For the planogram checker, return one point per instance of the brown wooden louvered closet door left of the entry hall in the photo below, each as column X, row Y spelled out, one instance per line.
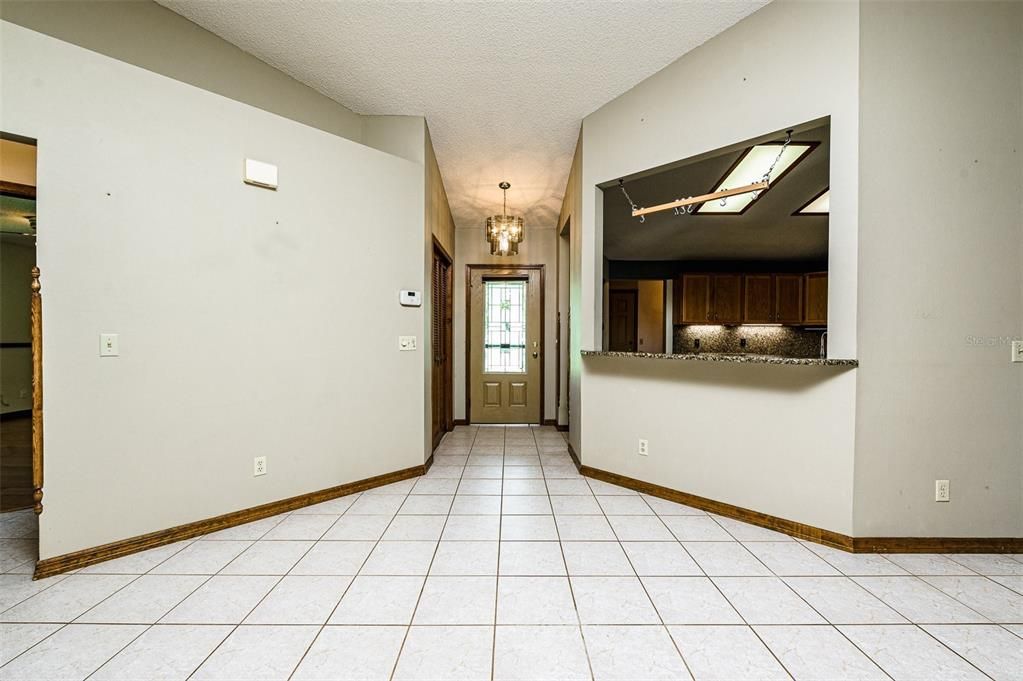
column 440, row 343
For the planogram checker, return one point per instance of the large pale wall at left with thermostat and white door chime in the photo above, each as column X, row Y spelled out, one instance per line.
column 241, row 328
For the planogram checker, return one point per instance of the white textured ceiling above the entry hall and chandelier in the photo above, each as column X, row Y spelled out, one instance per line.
column 504, row 85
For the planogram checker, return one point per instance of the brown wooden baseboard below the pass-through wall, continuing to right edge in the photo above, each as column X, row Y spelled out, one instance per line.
column 809, row 532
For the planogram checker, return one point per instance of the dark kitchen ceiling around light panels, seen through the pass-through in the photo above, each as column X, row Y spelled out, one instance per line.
column 768, row 232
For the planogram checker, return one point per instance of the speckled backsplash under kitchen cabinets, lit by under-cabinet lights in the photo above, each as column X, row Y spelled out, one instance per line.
column 780, row 341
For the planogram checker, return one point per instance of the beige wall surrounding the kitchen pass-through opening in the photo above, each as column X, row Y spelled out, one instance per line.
column 742, row 95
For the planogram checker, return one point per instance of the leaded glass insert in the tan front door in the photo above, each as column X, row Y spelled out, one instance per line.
column 505, row 327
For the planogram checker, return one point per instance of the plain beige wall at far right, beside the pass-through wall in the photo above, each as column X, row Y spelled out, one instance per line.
column 942, row 269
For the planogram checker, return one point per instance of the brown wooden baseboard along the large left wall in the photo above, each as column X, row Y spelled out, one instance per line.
column 92, row 557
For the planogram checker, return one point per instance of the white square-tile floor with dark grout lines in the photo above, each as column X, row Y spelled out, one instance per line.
column 504, row 564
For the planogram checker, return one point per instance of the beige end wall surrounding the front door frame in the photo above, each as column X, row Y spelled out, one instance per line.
column 538, row 249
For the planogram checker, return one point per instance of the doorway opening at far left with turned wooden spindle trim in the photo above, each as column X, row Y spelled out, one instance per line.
column 21, row 390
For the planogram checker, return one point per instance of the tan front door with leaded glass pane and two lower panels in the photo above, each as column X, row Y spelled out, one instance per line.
column 505, row 340
